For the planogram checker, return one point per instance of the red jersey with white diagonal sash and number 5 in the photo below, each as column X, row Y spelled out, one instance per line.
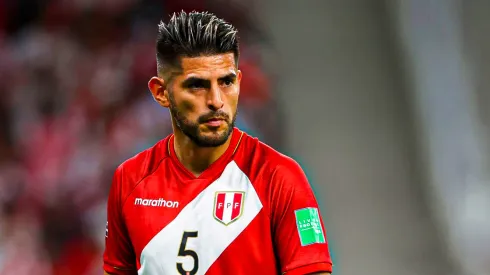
column 251, row 212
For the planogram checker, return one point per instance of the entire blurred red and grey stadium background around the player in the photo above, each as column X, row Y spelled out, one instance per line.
column 385, row 103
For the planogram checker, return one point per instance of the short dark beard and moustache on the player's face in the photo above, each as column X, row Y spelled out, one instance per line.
column 191, row 129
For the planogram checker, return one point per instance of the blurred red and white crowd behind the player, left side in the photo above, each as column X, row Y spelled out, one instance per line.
column 74, row 105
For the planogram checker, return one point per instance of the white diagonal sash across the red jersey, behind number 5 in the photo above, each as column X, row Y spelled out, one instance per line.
column 160, row 256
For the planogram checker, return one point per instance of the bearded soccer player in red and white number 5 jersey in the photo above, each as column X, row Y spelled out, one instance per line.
column 209, row 199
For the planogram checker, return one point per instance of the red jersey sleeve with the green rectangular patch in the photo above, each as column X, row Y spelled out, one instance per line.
column 298, row 230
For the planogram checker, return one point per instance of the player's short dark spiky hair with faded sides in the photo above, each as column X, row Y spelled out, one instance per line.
column 194, row 34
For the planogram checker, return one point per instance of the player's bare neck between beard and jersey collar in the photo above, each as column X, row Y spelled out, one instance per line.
column 195, row 158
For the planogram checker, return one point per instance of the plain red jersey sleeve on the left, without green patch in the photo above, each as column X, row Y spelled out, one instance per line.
column 119, row 257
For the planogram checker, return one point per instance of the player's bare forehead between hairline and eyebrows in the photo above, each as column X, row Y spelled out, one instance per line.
column 208, row 67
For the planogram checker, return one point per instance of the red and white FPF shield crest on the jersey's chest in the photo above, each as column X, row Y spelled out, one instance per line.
column 228, row 206
